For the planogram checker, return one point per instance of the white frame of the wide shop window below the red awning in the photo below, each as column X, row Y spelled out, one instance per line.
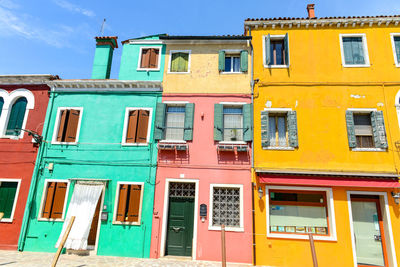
column 330, row 207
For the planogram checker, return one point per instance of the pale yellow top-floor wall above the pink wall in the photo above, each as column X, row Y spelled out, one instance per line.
column 204, row 76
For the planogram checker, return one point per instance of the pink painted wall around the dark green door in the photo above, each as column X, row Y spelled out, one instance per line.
column 203, row 162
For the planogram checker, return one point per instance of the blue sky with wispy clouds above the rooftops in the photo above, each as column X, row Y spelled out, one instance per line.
column 56, row 36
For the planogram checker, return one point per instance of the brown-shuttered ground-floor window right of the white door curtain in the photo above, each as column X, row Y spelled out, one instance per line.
column 128, row 206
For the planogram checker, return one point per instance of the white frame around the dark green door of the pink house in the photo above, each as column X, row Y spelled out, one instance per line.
column 166, row 213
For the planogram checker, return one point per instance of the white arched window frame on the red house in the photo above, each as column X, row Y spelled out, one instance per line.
column 9, row 100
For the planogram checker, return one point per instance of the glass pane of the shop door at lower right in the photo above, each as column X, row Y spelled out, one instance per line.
column 367, row 233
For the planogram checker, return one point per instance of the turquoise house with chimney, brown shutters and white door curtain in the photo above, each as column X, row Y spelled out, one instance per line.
column 98, row 164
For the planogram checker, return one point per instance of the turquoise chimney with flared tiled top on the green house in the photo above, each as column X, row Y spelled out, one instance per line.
column 103, row 56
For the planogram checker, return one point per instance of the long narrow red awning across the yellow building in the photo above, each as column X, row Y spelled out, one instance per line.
column 329, row 181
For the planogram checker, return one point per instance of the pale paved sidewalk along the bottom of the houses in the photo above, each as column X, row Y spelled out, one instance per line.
column 40, row 259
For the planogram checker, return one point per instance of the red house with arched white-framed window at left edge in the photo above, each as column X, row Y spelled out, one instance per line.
column 23, row 102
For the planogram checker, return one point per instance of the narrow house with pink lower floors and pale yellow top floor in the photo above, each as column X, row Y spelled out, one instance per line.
column 204, row 132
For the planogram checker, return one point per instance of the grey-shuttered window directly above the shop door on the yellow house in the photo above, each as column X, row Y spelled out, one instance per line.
column 366, row 129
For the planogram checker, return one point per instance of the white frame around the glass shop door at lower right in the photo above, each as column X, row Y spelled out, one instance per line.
column 387, row 225
